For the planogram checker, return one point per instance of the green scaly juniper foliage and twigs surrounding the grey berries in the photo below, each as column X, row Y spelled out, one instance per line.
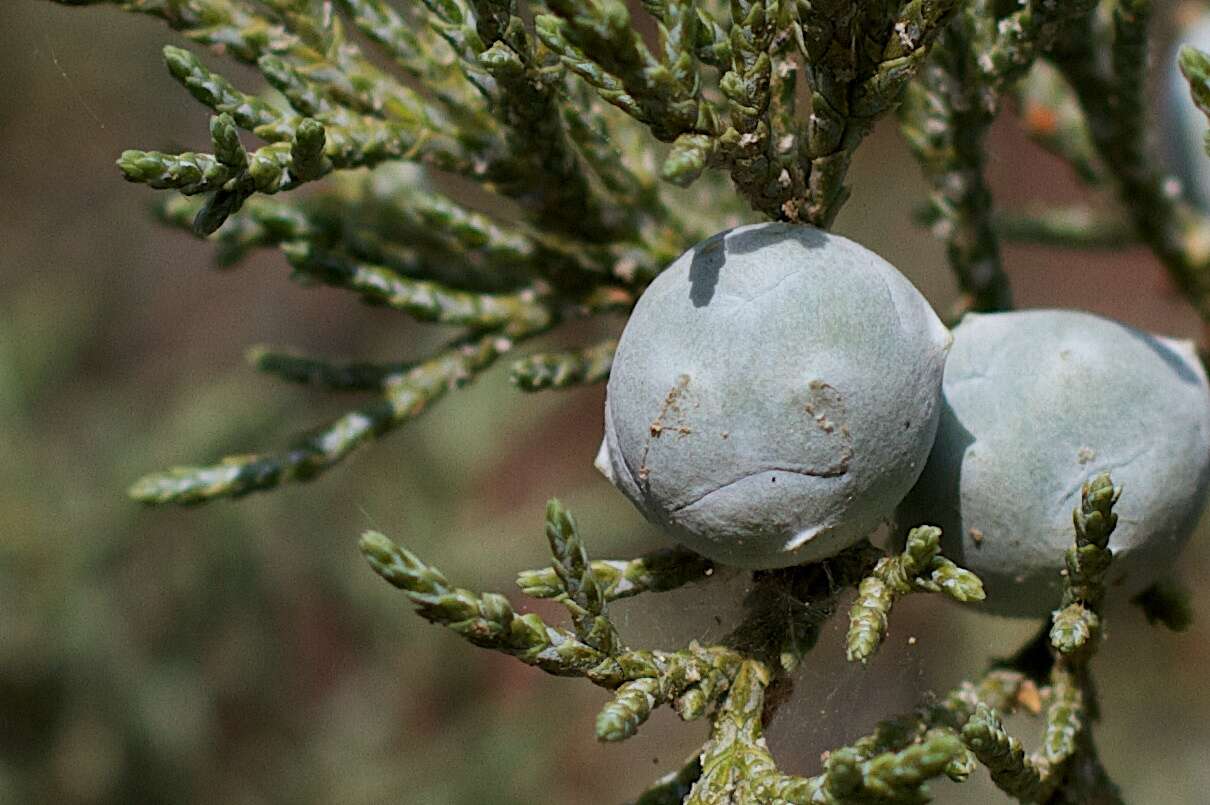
column 569, row 119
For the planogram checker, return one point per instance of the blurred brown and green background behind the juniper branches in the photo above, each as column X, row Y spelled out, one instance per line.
column 243, row 652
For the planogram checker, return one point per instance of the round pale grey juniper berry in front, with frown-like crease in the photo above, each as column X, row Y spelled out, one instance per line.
column 775, row 395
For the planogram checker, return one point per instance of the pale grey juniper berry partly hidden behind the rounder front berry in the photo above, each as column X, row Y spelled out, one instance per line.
column 1039, row 402
